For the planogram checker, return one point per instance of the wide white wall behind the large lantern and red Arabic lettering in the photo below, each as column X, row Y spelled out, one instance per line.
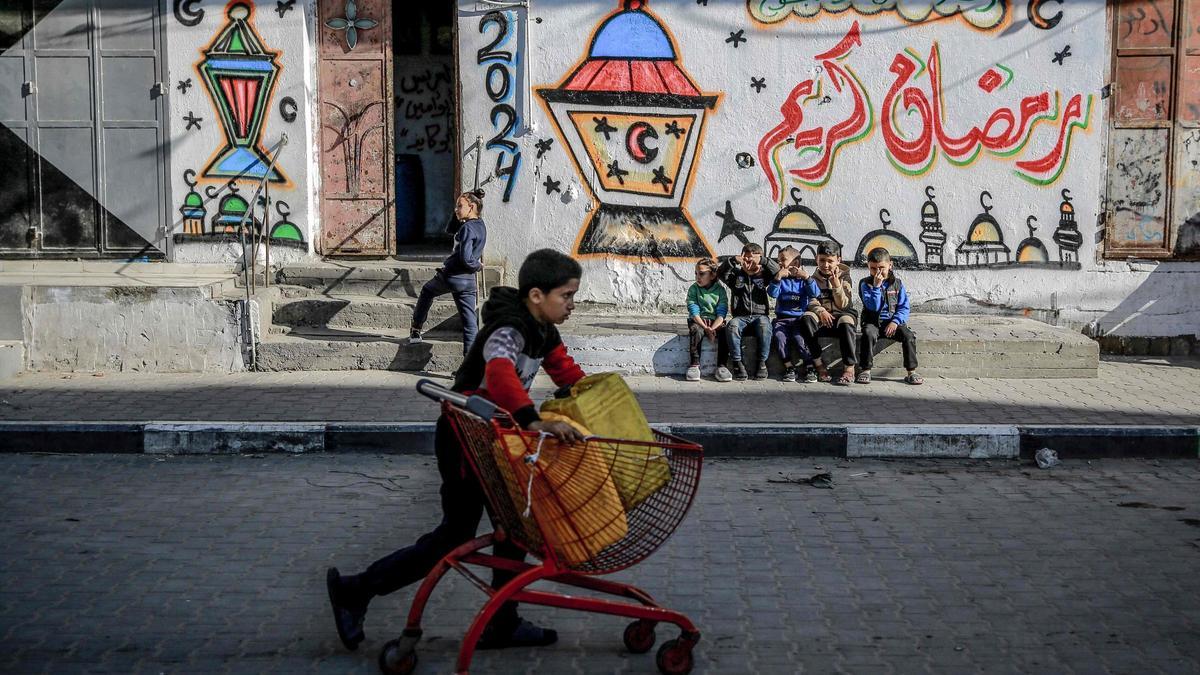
column 866, row 176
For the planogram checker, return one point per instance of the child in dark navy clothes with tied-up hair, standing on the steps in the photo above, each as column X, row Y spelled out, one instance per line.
column 458, row 273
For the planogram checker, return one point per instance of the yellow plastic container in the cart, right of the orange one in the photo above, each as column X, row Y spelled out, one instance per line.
column 607, row 405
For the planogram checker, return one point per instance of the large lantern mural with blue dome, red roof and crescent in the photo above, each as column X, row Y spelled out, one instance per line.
column 633, row 122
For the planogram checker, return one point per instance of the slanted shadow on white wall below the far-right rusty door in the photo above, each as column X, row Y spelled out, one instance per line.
column 1166, row 306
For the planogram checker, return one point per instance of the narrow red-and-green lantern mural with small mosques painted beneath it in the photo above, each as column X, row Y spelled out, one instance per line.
column 239, row 74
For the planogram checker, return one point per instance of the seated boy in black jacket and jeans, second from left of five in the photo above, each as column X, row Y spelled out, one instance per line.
column 748, row 278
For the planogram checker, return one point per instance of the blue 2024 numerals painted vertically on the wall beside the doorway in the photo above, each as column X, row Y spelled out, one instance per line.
column 499, row 81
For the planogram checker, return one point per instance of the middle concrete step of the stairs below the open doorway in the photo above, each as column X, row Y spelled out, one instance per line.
column 359, row 313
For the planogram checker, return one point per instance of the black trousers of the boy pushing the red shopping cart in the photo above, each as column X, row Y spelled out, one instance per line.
column 463, row 507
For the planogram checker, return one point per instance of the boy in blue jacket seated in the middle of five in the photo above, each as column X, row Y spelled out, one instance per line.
column 794, row 290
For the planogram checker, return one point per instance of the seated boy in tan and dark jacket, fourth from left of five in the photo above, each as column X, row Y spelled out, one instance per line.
column 832, row 314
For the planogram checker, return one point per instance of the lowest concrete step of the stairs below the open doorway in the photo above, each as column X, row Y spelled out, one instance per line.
column 323, row 349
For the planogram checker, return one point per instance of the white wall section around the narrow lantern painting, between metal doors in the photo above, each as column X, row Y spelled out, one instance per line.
column 291, row 38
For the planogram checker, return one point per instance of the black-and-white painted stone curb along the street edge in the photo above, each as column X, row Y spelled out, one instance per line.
column 971, row 441
